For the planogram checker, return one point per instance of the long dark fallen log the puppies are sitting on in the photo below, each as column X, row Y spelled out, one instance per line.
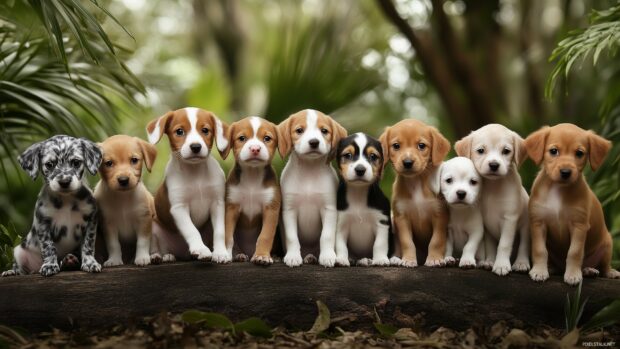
column 448, row 297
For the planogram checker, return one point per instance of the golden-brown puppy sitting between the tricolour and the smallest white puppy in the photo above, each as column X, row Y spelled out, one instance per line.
column 420, row 217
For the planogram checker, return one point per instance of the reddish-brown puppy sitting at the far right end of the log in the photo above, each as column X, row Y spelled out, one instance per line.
column 566, row 218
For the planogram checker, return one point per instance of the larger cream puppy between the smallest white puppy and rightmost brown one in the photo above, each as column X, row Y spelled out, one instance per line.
column 497, row 152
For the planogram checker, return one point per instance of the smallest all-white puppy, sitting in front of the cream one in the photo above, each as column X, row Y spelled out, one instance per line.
column 459, row 184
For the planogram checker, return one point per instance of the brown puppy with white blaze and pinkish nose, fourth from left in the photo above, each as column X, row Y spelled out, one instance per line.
column 252, row 192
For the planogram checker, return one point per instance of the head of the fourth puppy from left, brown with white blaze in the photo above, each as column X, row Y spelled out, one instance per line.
column 253, row 141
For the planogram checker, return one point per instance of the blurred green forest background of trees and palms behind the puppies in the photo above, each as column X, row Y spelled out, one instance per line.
column 455, row 64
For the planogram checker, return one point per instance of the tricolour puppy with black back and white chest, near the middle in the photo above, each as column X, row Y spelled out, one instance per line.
column 364, row 227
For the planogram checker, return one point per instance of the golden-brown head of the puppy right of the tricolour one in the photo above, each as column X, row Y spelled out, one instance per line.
column 413, row 147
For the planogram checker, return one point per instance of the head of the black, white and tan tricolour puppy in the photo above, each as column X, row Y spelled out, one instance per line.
column 360, row 159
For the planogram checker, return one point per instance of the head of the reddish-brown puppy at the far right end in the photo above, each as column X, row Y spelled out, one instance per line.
column 564, row 150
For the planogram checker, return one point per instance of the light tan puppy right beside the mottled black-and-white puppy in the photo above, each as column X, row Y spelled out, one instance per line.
column 126, row 206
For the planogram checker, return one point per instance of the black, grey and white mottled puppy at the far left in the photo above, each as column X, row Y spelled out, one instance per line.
column 65, row 218
